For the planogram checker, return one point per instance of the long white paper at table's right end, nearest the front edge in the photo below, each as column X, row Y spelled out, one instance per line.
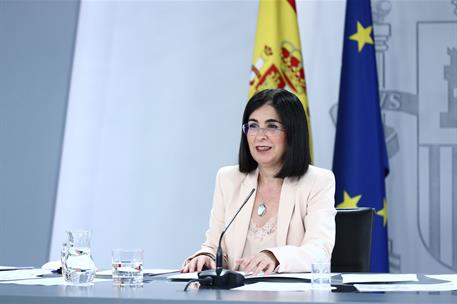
column 406, row 287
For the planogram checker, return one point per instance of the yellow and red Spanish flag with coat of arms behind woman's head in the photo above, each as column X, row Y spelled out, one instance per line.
column 278, row 60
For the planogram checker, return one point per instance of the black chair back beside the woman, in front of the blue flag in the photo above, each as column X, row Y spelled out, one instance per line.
column 352, row 251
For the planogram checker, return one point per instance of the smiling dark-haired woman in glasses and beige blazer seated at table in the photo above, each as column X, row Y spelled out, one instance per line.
column 290, row 223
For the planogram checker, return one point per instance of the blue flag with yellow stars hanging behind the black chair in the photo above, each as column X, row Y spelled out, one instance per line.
column 360, row 159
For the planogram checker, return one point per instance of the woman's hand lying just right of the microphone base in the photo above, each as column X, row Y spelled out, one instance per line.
column 264, row 261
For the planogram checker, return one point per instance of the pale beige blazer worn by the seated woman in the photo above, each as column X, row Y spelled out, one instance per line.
column 306, row 218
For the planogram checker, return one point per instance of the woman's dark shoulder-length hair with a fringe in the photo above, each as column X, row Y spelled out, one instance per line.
column 296, row 158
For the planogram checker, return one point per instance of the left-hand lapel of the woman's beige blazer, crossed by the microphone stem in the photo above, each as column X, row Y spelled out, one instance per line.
column 241, row 223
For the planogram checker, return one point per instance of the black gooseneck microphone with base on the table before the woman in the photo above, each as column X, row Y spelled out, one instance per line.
column 222, row 278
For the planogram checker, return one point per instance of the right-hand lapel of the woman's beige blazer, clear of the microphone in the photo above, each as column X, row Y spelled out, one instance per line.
column 286, row 207
